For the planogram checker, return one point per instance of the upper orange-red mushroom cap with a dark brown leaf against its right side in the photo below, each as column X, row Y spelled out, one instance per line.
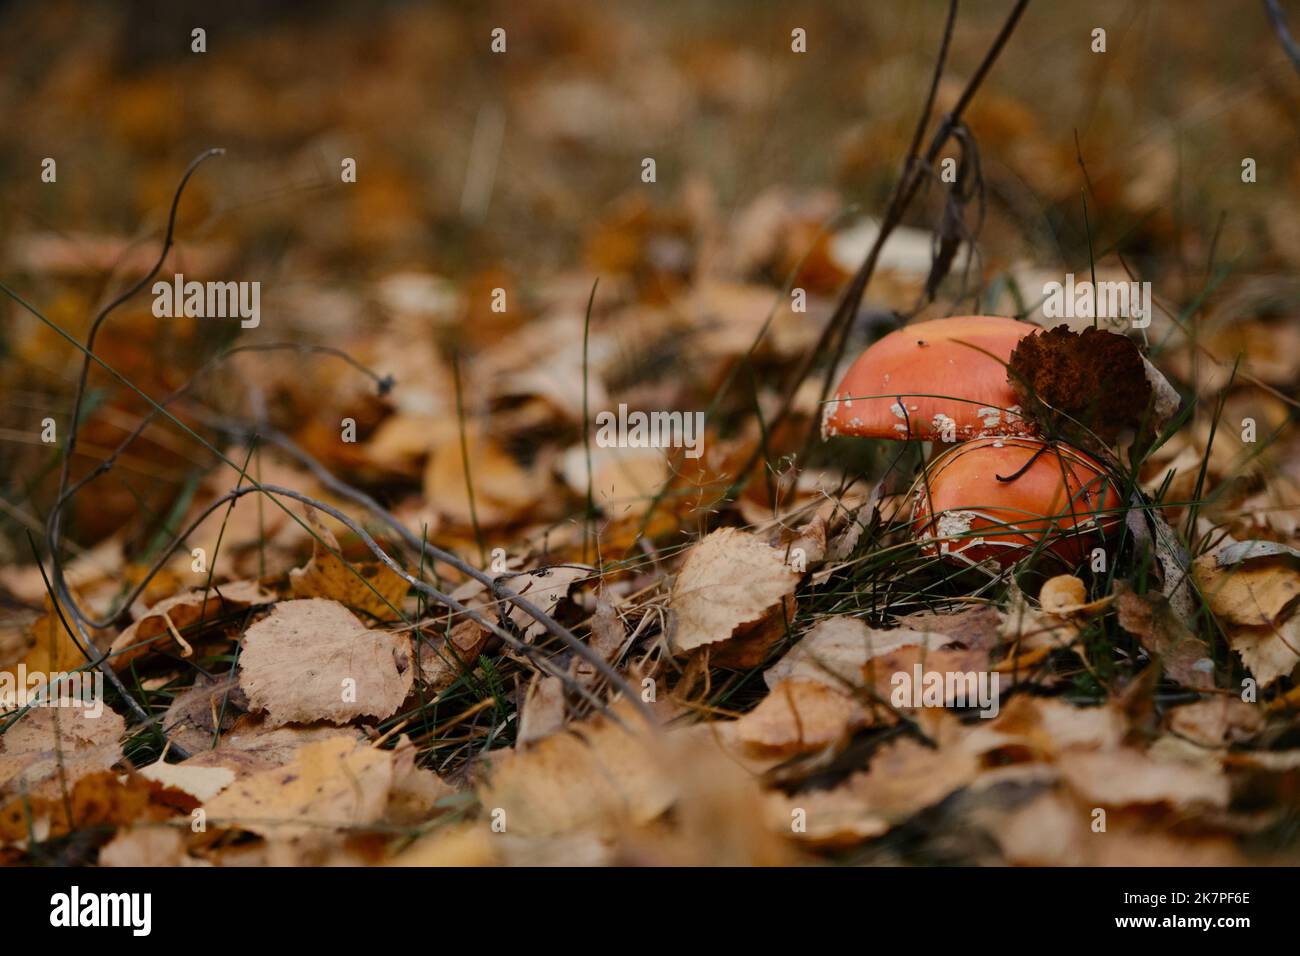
column 938, row 380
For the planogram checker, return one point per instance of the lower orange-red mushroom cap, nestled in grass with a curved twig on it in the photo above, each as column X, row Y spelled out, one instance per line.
column 1002, row 499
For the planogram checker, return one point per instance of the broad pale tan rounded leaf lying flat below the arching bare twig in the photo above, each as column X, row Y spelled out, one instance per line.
column 313, row 660
